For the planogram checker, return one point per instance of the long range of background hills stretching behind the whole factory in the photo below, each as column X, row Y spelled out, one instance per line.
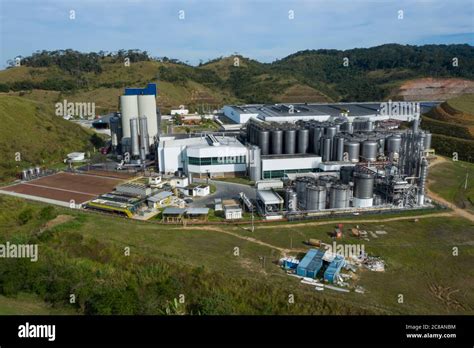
column 377, row 73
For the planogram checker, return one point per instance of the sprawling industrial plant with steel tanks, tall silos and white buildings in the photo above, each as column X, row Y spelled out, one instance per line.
column 305, row 160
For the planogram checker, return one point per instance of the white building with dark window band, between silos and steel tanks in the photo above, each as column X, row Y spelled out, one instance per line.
column 207, row 156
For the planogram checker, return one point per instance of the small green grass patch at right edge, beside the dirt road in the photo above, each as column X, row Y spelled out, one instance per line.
column 448, row 179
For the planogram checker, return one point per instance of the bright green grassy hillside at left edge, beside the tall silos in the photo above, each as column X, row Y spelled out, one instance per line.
column 40, row 137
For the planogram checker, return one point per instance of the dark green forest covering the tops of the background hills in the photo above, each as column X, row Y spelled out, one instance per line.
column 359, row 74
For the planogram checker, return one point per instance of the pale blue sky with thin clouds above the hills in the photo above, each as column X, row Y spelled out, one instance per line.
column 259, row 29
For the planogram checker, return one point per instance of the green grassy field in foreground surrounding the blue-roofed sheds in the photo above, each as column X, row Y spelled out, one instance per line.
column 418, row 255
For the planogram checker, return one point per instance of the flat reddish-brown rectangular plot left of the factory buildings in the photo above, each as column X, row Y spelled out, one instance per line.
column 66, row 186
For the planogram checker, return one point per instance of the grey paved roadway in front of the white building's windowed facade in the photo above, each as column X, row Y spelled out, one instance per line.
column 224, row 190
